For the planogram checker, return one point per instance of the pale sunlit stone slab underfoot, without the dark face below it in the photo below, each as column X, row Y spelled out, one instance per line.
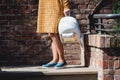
column 69, row 70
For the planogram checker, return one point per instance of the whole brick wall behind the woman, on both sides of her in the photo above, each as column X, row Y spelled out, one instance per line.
column 19, row 42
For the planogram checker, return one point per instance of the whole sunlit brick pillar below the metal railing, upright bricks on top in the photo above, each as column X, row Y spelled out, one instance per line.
column 104, row 56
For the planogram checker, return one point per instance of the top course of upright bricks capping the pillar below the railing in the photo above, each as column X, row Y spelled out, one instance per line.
column 103, row 41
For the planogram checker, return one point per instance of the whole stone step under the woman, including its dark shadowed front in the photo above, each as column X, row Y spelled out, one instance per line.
column 71, row 72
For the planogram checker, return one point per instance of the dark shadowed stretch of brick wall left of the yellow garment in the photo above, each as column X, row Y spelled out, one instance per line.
column 20, row 45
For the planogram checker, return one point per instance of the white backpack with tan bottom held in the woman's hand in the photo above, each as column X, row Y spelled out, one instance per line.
column 69, row 28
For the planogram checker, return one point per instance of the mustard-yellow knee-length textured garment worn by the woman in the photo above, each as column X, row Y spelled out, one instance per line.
column 49, row 14
